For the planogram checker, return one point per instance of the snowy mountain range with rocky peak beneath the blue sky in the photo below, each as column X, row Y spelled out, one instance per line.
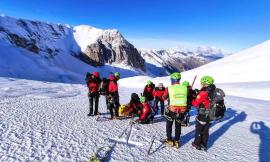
column 61, row 51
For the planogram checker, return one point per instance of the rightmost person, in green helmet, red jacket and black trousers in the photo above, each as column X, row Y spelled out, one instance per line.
column 202, row 103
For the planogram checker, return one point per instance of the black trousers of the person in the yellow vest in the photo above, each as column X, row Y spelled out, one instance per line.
column 170, row 118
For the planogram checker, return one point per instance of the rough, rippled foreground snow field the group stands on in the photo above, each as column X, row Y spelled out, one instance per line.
column 48, row 122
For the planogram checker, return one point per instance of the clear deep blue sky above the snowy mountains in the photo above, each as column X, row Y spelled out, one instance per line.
column 231, row 25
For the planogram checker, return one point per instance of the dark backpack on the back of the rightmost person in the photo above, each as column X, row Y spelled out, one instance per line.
column 217, row 105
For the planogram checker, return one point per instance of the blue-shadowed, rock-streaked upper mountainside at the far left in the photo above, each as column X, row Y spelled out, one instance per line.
column 34, row 36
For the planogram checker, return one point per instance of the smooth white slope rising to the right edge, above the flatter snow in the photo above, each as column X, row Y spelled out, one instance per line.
column 250, row 65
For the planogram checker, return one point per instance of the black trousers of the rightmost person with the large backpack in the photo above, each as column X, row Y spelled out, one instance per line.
column 201, row 134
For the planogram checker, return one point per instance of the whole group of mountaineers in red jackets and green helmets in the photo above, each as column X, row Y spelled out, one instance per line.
column 180, row 99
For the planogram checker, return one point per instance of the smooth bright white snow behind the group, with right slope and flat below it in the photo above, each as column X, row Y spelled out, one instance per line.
column 242, row 74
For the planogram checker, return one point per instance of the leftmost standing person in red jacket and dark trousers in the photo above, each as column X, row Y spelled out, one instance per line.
column 93, row 83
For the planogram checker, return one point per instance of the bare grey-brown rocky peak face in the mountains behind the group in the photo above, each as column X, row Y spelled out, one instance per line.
column 111, row 47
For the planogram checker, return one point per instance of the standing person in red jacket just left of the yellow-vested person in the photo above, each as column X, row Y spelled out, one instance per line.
column 158, row 93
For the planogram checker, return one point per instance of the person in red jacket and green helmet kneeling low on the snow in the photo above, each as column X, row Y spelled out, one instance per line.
column 145, row 112
